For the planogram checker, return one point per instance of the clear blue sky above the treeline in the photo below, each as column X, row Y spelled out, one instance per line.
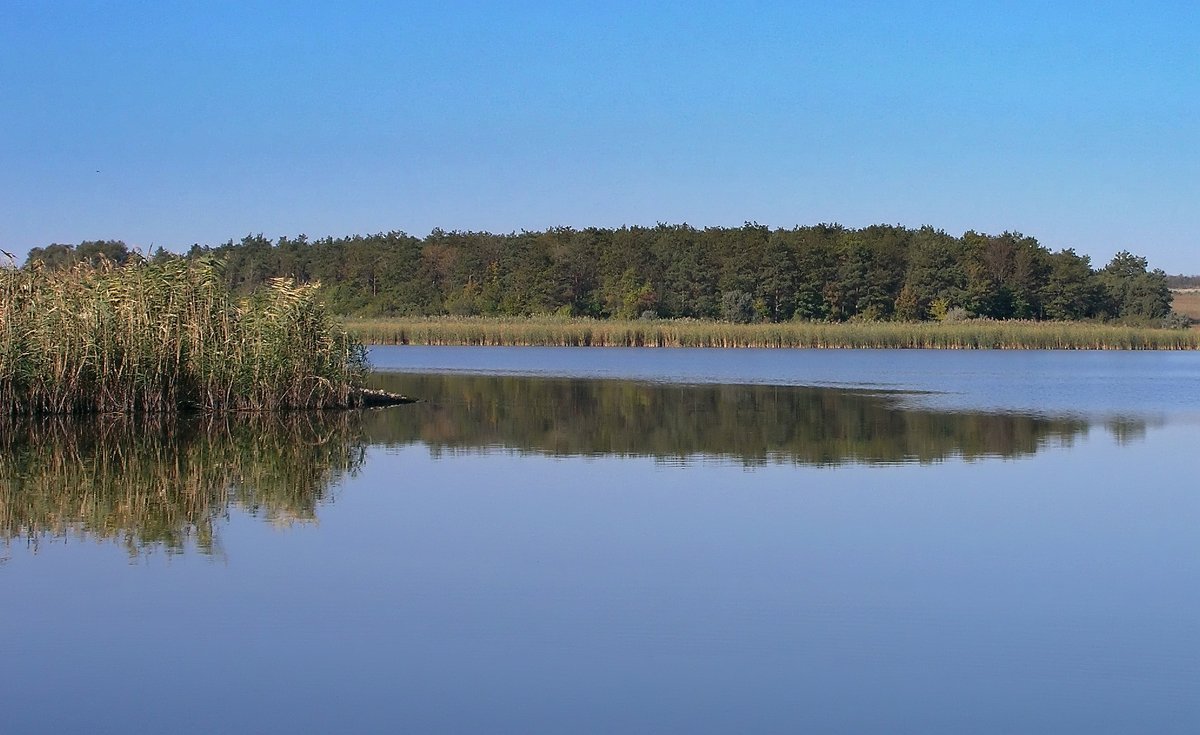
column 177, row 123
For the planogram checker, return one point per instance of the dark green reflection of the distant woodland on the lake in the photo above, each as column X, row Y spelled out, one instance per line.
column 752, row 425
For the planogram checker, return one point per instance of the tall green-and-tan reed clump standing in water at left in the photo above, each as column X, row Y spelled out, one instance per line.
column 163, row 337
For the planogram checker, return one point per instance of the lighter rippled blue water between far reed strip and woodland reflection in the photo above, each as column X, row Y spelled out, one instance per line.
column 1045, row 381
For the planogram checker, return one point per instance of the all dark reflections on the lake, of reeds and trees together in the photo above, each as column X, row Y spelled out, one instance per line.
column 170, row 485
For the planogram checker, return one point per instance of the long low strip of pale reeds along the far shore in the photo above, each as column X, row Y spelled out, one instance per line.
column 975, row 334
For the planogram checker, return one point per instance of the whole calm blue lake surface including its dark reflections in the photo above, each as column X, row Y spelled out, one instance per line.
column 626, row 541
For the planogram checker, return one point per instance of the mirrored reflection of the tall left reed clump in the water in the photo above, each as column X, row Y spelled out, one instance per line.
column 163, row 483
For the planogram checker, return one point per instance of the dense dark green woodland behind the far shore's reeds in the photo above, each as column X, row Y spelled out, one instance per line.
column 743, row 274
